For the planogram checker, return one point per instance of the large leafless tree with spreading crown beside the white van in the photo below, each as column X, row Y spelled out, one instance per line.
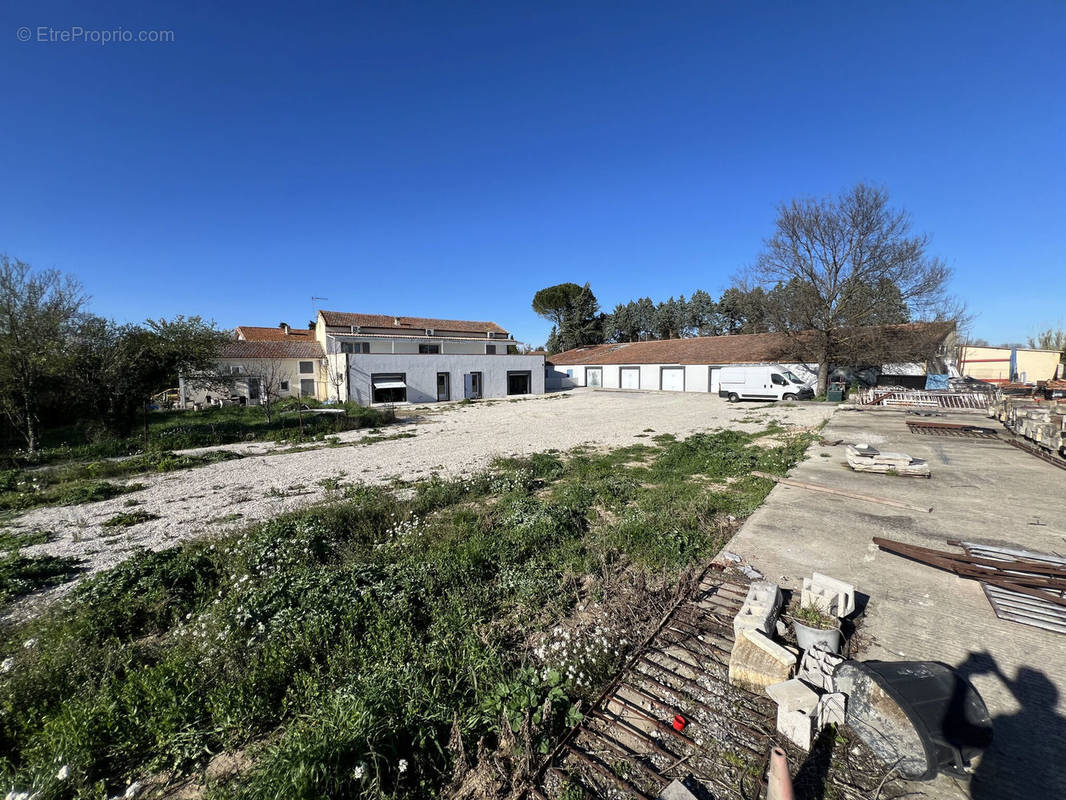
column 835, row 266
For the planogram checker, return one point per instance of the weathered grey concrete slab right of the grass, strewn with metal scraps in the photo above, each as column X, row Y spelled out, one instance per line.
column 982, row 491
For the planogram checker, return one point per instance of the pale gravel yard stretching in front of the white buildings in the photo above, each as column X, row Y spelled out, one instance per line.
column 450, row 441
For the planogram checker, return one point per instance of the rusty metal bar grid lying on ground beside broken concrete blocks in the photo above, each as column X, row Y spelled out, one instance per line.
column 627, row 746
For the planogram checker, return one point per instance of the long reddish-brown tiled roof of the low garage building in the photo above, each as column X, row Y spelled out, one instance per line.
column 915, row 340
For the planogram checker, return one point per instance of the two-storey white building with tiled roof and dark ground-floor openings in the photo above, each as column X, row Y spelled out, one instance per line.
column 377, row 359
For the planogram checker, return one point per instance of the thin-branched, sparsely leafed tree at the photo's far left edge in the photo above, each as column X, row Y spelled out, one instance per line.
column 39, row 313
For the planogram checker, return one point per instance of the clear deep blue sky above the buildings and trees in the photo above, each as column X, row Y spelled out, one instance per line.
column 451, row 158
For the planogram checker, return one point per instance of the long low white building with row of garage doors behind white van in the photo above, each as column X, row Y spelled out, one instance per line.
column 694, row 364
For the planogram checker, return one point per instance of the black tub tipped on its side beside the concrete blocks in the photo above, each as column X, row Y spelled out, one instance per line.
column 923, row 717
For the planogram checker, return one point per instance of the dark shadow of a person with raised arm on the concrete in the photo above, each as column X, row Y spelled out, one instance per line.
column 1025, row 759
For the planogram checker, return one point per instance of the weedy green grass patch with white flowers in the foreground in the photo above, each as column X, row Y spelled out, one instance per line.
column 331, row 644
